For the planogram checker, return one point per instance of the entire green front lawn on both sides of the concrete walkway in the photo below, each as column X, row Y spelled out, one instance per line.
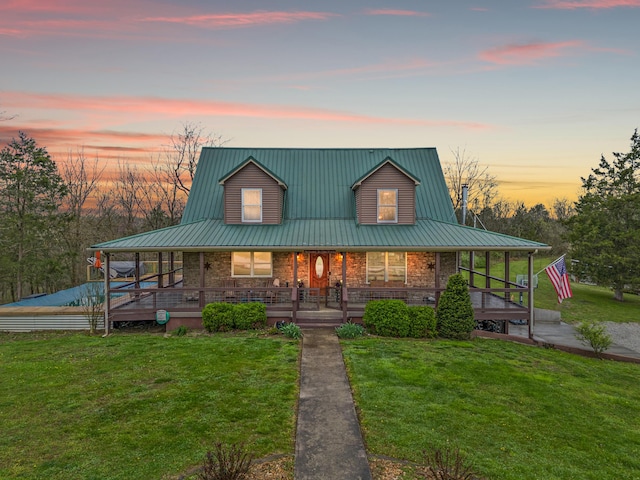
column 147, row 406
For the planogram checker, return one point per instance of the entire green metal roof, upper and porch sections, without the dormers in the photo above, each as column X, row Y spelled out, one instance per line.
column 320, row 207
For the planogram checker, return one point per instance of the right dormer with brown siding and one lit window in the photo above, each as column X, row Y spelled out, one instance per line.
column 386, row 195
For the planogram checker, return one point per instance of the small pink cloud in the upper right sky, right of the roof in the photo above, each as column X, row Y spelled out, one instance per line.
column 526, row 54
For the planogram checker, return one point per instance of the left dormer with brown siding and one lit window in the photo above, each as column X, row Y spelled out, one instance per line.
column 253, row 195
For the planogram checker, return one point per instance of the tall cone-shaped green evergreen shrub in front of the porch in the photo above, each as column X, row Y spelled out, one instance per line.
column 454, row 316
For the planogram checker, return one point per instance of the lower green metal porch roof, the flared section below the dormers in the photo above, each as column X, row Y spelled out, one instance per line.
column 317, row 234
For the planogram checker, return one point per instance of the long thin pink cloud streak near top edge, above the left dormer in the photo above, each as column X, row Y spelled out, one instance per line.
column 242, row 19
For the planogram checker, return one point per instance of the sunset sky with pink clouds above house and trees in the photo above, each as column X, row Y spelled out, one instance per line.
column 537, row 90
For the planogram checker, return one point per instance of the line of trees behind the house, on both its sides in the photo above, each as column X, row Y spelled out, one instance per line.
column 50, row 214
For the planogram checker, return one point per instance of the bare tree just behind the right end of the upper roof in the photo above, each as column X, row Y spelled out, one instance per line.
column 466, row 169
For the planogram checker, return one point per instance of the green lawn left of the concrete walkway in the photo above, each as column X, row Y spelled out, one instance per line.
column 140, row 406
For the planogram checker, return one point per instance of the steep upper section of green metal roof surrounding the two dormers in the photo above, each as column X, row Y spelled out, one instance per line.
column 319, row 180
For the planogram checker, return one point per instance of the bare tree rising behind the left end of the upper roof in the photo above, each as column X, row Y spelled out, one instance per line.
column 183, row 151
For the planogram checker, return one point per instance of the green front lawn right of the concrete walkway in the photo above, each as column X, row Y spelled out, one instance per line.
column 515, row 411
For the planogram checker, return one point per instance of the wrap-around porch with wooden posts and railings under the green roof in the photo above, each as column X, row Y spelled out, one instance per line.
column 303, row 288
